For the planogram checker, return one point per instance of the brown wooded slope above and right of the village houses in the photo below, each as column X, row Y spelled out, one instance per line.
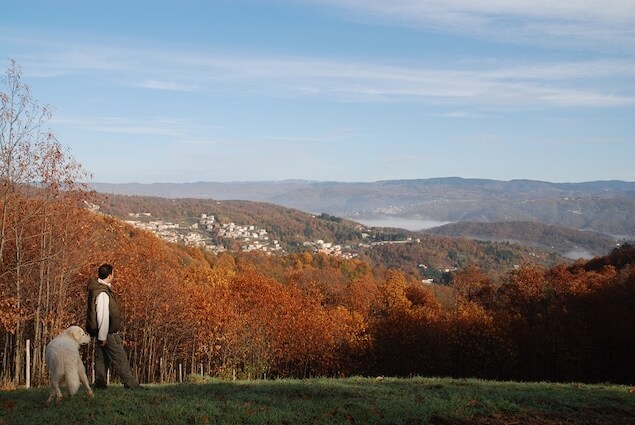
column 425, row 256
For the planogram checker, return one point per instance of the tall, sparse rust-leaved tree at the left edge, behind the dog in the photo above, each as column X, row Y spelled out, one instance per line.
column 40, row 193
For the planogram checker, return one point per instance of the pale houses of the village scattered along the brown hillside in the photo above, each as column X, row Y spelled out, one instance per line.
column 216, row 235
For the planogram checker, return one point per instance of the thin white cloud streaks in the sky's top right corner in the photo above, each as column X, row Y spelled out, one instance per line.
column 596, row 22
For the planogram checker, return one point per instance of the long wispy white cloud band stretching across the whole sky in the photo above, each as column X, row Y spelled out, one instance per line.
column 483, row 83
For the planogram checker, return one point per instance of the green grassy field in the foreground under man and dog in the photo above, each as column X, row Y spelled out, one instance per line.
column 330, row 401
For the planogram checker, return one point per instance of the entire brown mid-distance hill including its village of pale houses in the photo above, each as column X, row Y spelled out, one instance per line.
column 245, row 226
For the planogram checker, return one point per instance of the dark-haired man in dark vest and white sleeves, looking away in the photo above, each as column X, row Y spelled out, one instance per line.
column 103, row 321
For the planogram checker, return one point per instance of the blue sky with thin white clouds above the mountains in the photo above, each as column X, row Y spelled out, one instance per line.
column 344, row 90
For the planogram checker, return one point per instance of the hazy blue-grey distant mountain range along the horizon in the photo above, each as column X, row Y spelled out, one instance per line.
column 606, row 207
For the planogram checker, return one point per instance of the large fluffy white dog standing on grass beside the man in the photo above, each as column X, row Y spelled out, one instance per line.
column 65, row 363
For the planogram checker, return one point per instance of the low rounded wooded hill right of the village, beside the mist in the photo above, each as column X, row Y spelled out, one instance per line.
column 568, row 242
